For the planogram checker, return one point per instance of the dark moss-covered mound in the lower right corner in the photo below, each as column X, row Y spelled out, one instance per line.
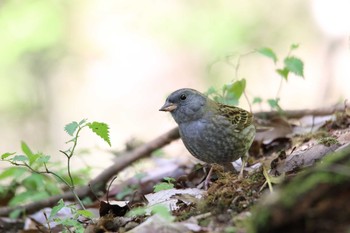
column 299, row 193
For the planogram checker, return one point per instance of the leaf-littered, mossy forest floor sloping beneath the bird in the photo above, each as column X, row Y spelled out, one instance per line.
column 297, row 180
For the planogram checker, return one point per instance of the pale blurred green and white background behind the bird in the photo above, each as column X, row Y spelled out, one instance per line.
column 115, row 61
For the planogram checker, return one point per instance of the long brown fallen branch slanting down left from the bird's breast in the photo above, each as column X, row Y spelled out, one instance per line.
column 100, row 181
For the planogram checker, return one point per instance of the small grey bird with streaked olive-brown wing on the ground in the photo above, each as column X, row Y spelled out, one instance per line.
column 212, row 132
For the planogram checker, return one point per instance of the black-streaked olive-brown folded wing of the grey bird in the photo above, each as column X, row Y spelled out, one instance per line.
column 238, row 117
